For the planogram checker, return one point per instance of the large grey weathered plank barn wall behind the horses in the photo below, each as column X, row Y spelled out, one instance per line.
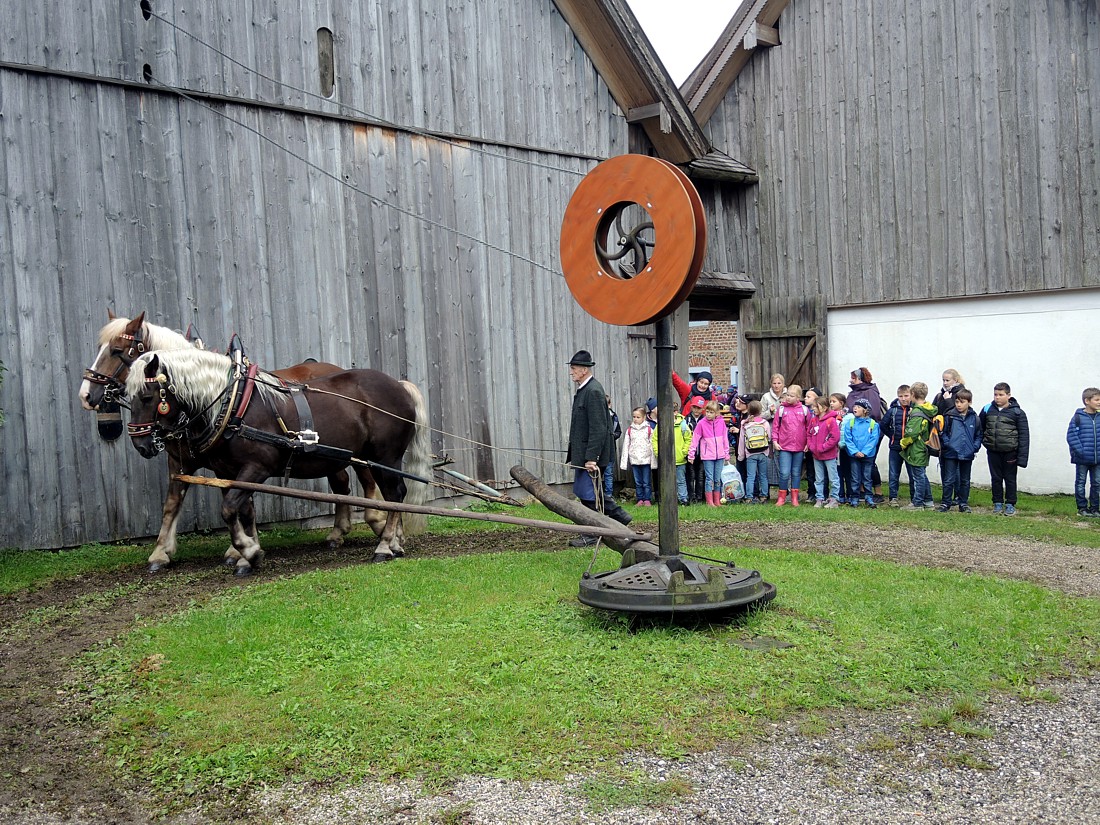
column 122, row 194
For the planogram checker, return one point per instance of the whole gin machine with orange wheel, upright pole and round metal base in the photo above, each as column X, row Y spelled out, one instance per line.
column 633, row 244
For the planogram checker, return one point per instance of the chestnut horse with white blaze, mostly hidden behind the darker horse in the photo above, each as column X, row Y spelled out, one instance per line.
column 122, row 343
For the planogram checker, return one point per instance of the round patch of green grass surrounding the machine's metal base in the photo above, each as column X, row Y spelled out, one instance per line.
column 488, row 665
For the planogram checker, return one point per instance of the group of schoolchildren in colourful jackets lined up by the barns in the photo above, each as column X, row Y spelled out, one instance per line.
column 842, row 445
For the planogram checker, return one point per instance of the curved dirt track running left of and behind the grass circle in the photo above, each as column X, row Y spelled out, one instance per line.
column 52, row 767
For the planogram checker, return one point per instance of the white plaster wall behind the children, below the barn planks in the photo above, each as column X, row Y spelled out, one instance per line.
column 1043, row 346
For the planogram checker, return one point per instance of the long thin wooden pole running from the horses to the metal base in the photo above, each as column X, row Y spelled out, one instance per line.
column 615, row 534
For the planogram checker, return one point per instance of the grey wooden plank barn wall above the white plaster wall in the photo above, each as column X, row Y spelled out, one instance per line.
column 920, row 150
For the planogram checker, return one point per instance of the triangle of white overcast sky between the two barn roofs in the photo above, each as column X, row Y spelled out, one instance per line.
column 683, row 31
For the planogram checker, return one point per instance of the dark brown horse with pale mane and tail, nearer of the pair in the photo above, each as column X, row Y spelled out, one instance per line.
column 362, row 417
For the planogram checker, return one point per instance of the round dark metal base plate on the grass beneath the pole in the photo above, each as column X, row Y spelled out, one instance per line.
column 674, row 585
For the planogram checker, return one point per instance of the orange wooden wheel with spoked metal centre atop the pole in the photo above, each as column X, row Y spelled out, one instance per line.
column 633, row 240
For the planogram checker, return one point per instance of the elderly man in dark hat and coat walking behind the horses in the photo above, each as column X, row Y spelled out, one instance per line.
column 591, row 443
